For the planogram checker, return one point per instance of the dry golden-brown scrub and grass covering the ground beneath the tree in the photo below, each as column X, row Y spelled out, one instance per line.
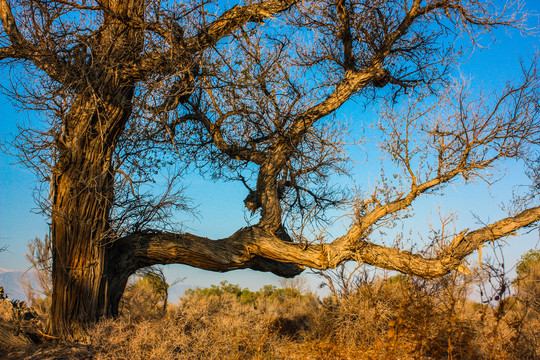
column 395, row 318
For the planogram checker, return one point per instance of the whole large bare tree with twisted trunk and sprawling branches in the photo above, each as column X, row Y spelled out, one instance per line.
column 247, row 95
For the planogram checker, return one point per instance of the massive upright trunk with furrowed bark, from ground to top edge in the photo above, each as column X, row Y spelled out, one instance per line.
column 88, row 280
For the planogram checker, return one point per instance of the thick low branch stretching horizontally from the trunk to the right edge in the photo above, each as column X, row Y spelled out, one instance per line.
column 256, row 248
